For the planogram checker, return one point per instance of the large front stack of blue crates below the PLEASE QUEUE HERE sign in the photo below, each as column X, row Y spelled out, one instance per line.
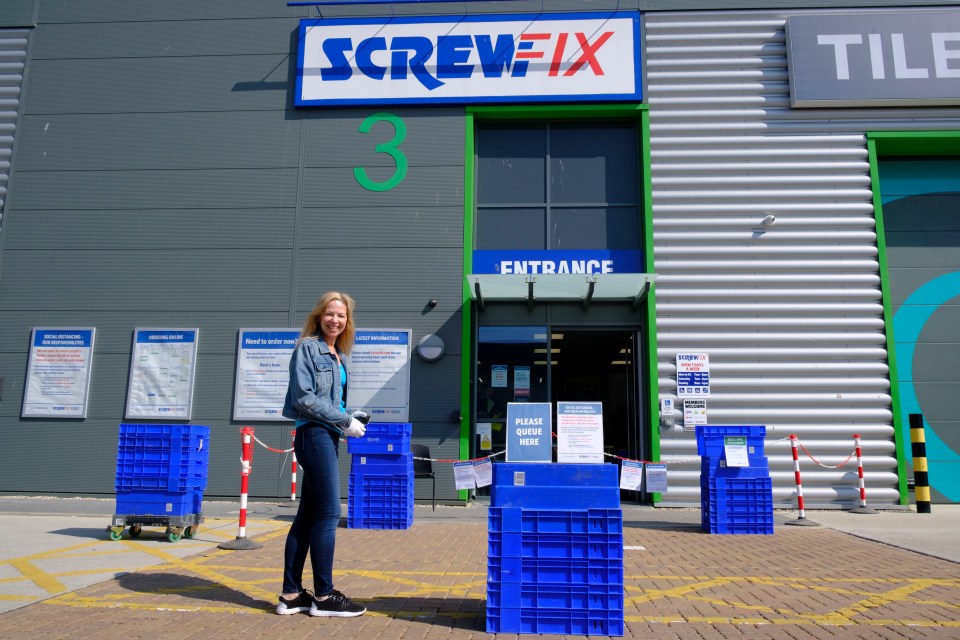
column 555, row 550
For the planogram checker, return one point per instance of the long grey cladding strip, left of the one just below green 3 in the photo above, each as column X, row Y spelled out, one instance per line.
column 151, row 228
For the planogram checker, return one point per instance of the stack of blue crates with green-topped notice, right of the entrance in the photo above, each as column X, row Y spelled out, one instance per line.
column 734, row 499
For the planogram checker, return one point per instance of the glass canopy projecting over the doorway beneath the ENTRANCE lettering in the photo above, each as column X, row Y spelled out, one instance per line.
column 559, row 287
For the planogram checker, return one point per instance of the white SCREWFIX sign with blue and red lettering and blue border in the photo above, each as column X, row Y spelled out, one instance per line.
column 469, row 59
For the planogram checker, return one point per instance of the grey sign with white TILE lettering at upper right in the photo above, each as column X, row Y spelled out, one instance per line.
column 879, row 59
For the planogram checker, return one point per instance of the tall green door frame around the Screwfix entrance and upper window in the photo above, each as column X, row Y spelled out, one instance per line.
column 545, row 112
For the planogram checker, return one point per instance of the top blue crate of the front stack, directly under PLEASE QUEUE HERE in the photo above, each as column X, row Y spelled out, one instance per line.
column 555, row 486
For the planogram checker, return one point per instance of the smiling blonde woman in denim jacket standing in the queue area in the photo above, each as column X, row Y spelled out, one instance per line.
column 316, row 399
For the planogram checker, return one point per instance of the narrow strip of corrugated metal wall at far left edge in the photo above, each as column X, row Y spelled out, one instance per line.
column 13, row 54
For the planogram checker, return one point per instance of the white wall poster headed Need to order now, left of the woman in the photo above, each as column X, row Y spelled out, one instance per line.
column 263, row 360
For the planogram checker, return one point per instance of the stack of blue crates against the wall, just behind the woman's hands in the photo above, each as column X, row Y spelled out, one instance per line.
column 380, row 492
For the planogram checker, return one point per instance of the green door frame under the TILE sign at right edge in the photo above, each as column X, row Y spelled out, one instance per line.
column 899, row 144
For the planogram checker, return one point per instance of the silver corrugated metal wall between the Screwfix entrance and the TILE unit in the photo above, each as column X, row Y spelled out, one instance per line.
column 790, row 312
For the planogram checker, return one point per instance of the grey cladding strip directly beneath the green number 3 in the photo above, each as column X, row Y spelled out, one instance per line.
column 383, row 227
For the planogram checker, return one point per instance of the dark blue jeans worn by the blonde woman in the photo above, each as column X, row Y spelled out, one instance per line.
column 314, row 528
